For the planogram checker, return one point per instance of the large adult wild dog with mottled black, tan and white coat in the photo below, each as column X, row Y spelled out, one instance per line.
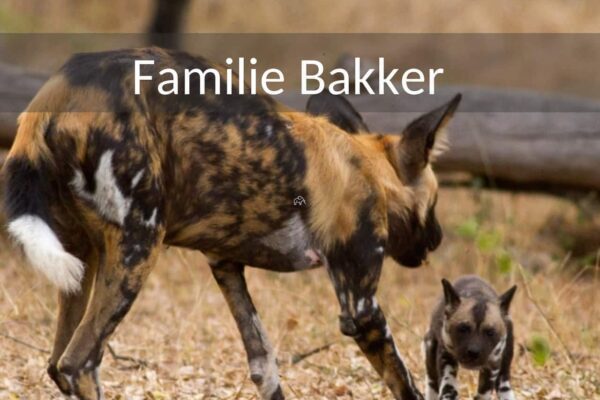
column 98, row 179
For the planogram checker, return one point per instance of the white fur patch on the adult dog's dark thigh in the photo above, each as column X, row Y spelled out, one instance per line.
column 107, row 197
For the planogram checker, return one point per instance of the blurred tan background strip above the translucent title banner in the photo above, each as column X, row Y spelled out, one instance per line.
column 457, row 16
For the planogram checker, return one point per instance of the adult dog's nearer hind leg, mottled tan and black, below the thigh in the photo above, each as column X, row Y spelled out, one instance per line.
column 118, row 282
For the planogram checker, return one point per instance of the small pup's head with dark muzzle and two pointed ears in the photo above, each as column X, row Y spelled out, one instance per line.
column 474, row 329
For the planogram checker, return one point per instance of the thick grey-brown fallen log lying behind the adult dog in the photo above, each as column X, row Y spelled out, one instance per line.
column 536, row 140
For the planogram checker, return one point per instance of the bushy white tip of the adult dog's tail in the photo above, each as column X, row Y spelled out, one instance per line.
column 46, row 254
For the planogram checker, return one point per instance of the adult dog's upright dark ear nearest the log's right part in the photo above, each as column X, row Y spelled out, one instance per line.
column 421, row 140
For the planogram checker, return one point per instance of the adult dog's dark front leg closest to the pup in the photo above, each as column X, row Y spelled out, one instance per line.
column 355, row 272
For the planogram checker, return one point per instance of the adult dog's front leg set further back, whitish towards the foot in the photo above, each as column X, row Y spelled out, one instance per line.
column 261, row 356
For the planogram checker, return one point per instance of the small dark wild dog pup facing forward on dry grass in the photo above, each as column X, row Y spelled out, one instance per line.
column 470, row 327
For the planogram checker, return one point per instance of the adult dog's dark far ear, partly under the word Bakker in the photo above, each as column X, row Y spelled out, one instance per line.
column 338, row 110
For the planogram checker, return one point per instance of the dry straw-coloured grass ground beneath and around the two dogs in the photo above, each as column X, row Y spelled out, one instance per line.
column 181, row 327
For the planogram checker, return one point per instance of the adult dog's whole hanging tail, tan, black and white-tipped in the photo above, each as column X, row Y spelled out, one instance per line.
column 27, row 193
